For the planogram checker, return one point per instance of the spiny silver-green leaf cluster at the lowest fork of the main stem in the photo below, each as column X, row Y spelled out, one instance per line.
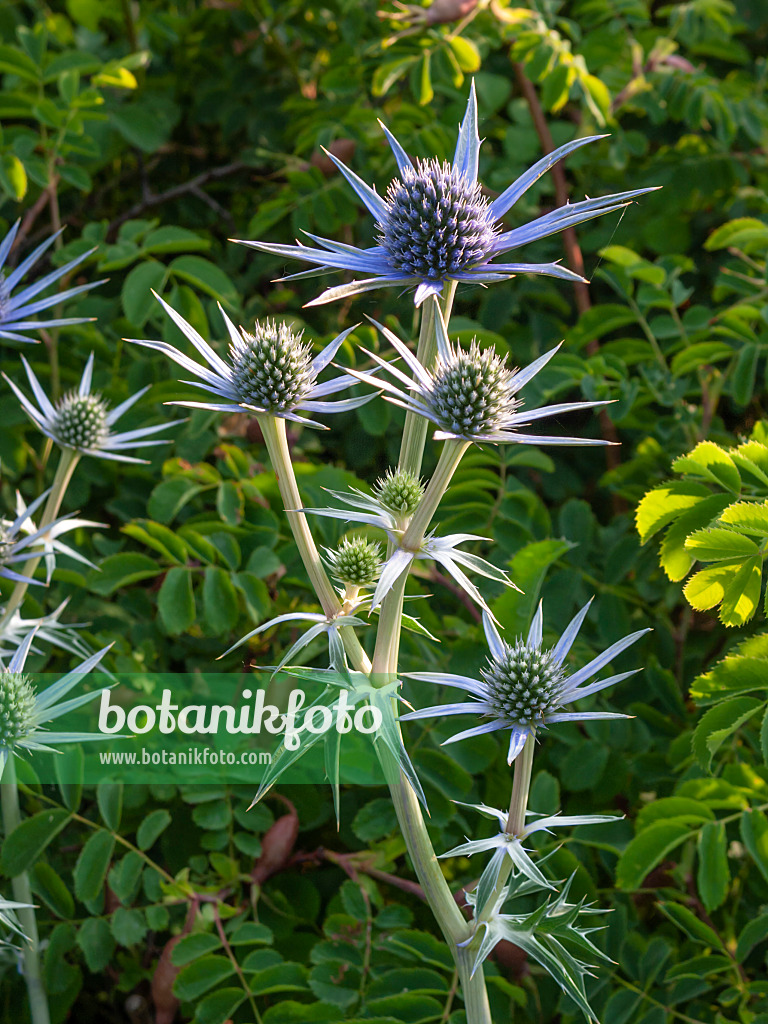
column 553, row 935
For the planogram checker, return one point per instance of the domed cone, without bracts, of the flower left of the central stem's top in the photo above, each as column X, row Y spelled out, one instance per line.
column 272, row 368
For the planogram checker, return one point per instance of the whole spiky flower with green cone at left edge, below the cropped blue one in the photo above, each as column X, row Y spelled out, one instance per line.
column 82, row 422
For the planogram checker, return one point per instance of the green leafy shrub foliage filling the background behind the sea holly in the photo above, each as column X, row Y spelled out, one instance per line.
column 156, row 132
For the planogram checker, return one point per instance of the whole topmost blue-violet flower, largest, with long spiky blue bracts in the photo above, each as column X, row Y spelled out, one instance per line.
column 435, row 225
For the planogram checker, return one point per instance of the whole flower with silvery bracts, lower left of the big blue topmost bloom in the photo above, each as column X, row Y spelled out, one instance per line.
column 271, row 371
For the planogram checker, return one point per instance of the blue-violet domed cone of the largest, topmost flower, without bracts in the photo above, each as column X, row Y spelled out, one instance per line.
column 438, row 223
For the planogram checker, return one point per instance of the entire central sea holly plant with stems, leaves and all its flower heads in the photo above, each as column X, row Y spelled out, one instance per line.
column 436, row 229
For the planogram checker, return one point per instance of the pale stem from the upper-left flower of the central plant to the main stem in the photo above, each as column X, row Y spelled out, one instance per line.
column 274, row 430
